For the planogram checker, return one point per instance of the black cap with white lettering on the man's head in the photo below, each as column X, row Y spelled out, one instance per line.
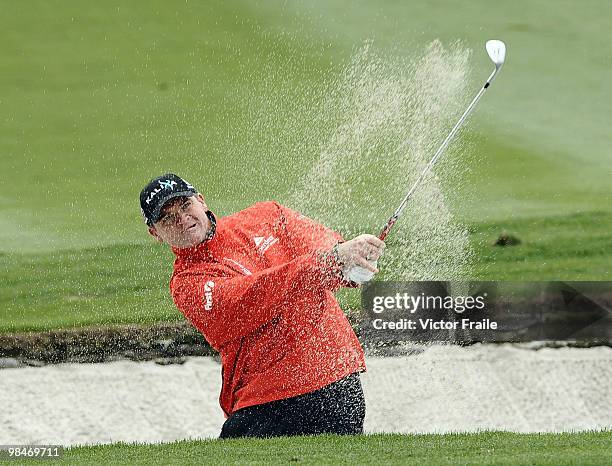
column 159, row 191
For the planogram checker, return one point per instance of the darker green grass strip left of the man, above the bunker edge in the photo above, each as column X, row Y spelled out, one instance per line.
column 85, row 287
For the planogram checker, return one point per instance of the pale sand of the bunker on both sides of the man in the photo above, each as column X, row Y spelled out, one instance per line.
column 442, row 389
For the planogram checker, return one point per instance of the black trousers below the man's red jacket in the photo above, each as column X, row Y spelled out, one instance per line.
column 338, row 408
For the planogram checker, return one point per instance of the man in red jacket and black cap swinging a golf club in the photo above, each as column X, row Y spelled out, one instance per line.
column 259, row 286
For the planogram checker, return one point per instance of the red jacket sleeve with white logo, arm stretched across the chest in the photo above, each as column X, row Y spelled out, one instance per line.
column 226, row 308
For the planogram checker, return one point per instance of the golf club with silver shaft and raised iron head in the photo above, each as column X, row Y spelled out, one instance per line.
column 496, row 50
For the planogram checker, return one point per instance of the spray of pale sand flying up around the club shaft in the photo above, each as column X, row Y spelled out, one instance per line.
column 388, row 115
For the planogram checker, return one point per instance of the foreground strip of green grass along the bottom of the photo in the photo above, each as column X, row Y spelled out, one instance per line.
column 483, row 448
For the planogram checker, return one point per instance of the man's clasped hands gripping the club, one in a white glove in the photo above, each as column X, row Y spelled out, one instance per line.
column 358, row 257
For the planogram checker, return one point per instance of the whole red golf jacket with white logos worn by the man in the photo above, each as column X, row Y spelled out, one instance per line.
column 261, row 292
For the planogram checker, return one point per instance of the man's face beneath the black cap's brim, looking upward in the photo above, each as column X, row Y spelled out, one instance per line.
column 183, row 222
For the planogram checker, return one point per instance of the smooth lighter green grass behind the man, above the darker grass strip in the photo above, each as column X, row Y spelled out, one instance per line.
column 205, row 89
